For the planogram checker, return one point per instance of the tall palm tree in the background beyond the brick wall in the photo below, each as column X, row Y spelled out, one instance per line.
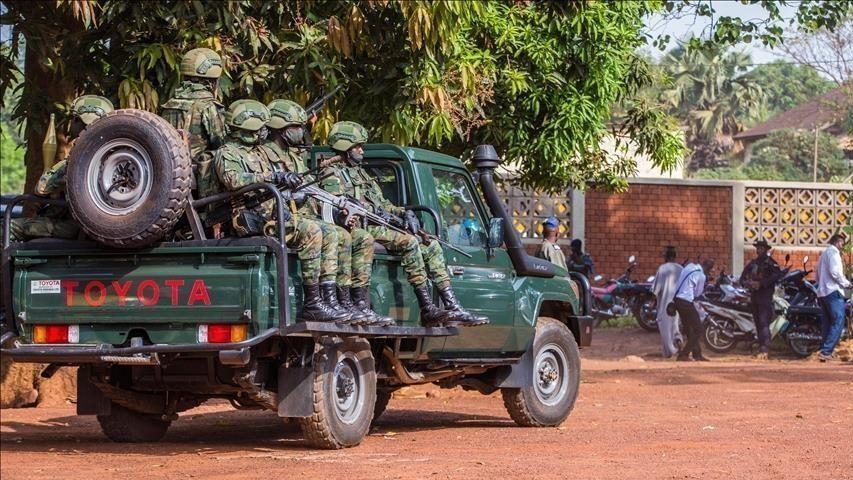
column 711, row 92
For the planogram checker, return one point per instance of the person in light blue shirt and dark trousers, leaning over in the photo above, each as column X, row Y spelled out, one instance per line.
column 691, row 284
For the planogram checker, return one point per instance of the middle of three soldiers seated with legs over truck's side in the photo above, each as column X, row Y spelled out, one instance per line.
column 284, row 151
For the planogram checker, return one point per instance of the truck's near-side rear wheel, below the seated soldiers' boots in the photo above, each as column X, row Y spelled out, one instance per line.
column 344, row 395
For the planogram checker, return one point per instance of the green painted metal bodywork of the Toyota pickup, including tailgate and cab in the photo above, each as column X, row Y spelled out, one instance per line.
column 168, row 291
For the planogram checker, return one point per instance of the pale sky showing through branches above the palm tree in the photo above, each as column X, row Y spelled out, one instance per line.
column 682, row 28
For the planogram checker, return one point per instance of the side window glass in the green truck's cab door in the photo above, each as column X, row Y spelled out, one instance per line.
column 463, row 224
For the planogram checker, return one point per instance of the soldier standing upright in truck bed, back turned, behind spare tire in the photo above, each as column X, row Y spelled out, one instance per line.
column 195, row 110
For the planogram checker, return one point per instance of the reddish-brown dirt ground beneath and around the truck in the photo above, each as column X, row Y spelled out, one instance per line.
column 637, row 416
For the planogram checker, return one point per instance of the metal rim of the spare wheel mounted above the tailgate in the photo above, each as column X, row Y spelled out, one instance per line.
column 119, row 177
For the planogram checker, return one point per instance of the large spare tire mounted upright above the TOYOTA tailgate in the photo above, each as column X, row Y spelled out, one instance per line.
column 128, row 178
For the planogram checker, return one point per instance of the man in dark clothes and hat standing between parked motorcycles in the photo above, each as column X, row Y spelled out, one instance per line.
column 760, row 277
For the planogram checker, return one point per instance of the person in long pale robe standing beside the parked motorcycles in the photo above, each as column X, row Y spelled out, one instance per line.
column 663, row 286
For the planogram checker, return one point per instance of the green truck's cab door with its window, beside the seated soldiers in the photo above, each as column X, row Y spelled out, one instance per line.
column 483, row 285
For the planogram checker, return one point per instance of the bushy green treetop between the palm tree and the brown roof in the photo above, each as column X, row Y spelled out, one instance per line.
column 787, row 85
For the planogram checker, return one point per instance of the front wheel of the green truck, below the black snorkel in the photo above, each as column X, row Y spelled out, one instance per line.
column 556, row 379
